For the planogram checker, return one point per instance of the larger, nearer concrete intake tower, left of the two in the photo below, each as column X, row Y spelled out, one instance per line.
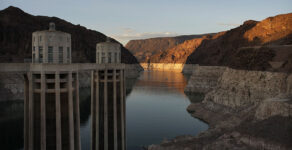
column 51, row 106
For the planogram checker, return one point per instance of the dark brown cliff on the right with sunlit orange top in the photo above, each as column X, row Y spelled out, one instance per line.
column 251, row 46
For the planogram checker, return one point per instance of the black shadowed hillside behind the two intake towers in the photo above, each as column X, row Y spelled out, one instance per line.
column 16, row 29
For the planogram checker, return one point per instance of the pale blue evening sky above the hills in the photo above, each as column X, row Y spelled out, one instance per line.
column 125, row 20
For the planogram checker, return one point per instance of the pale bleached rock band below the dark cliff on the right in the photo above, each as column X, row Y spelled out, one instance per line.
column 240, row 89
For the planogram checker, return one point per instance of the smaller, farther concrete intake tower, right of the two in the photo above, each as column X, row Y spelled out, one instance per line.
column 108, row 99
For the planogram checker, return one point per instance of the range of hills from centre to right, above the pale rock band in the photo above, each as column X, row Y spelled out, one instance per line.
column 255, row 45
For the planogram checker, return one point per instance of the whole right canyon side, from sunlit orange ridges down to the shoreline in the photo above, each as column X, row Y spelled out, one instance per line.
column 247, row 103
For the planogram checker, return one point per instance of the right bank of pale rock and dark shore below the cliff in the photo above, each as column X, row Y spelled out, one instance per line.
column 244, row 110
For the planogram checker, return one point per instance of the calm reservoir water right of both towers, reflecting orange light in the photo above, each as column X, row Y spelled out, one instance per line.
column 156, row 110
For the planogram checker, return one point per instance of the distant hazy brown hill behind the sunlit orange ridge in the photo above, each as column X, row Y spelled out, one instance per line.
column 146, row 48
